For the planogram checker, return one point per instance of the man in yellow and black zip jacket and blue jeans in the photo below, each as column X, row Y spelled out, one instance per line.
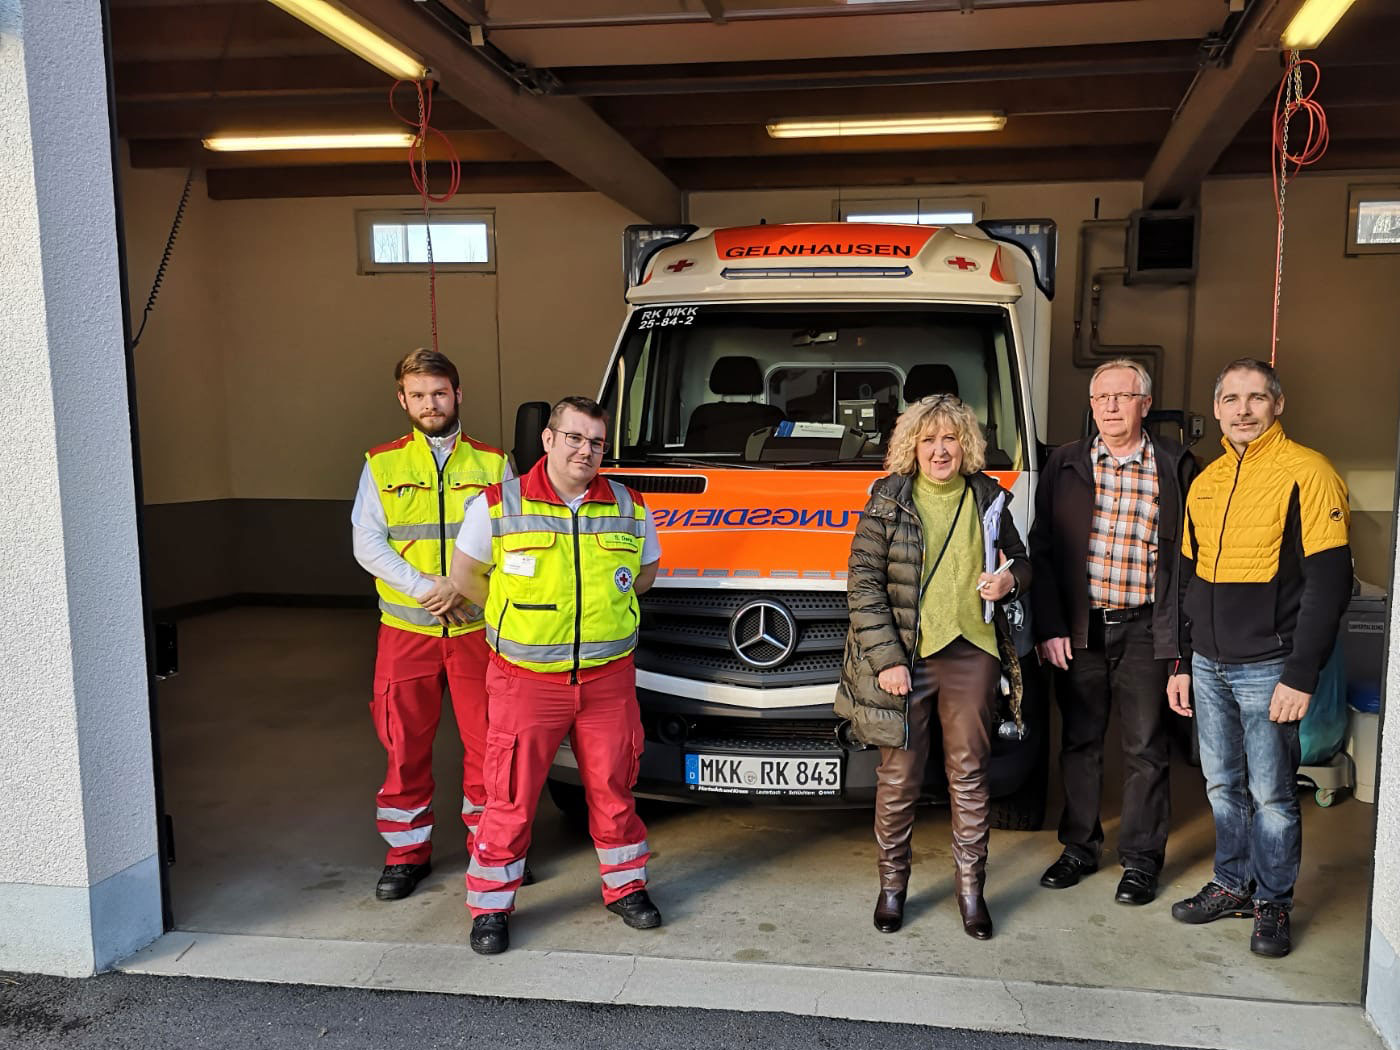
column 1270, row 576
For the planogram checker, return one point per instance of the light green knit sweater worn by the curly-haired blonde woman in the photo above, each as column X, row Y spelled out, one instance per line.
column 951, row 607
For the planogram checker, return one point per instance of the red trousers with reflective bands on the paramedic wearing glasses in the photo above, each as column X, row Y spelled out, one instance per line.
column 530, row 716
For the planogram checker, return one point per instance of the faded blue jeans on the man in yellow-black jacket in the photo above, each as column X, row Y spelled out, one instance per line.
column 1251, row 769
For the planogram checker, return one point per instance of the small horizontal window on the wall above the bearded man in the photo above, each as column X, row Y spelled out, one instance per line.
column 398, row 241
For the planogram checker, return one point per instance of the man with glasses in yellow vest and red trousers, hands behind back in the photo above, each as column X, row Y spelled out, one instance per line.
column 558, row 558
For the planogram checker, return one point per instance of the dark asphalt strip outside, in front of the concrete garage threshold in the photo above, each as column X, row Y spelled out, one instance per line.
column 117, row 1011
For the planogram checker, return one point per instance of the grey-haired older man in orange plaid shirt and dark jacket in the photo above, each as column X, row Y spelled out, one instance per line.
column 1108, row 617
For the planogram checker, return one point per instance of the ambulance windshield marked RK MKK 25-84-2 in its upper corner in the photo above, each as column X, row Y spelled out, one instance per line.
column 804, row 386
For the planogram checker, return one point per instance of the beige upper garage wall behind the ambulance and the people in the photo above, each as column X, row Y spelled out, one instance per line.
column 264, row 373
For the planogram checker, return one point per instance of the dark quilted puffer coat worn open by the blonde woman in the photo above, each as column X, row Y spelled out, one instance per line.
column 883, row 589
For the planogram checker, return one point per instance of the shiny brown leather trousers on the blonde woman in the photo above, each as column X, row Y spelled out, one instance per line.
column 961, row 682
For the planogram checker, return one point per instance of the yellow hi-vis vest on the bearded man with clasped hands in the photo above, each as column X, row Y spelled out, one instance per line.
column 423, row 507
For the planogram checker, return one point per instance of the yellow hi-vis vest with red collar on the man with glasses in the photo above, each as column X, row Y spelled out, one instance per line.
column 562, row 584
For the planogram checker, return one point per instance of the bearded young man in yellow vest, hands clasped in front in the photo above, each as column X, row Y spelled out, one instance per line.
column 405, row 520
